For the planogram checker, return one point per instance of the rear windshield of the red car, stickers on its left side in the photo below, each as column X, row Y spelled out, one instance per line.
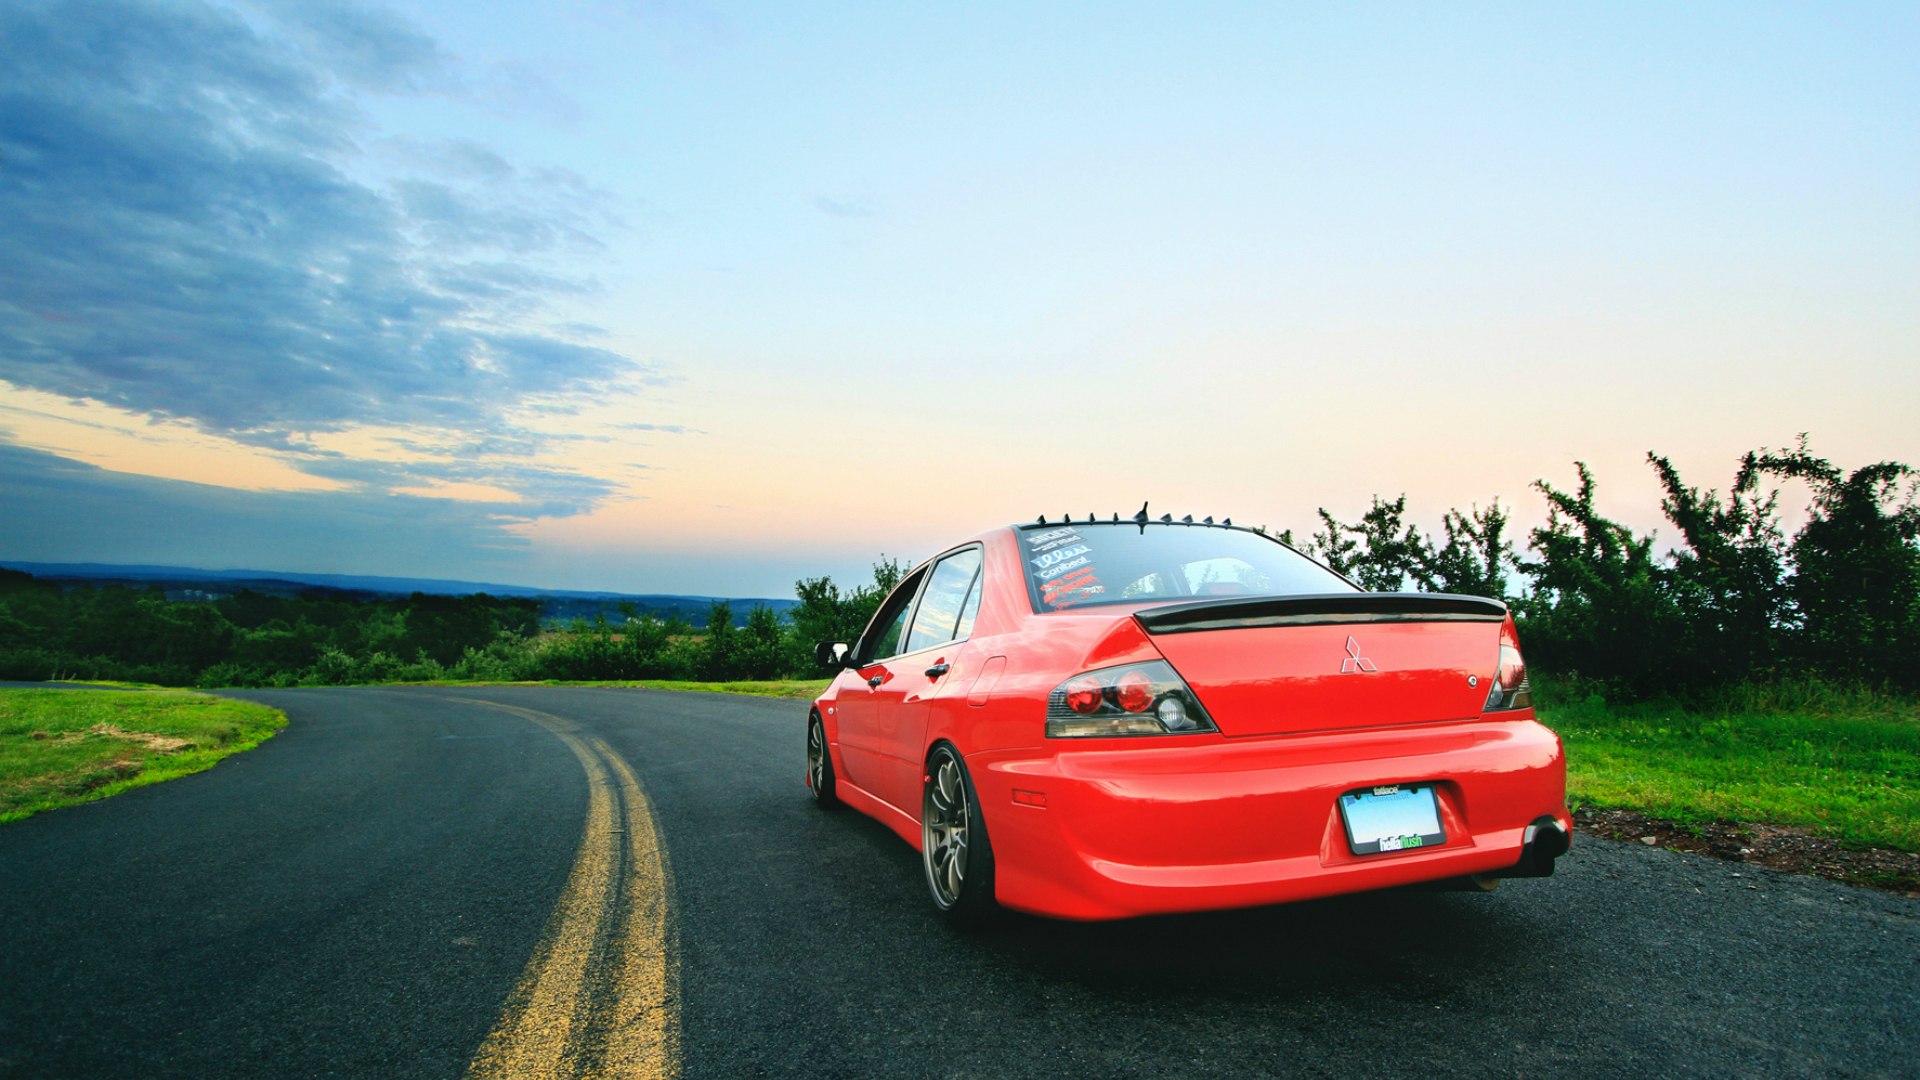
column 1080, row 566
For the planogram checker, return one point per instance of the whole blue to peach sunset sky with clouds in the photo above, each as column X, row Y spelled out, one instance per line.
column 704, row 299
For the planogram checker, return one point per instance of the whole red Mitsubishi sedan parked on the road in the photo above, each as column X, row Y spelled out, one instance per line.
column 1097, row 720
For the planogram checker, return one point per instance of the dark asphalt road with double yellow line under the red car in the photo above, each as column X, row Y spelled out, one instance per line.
column 412, row 883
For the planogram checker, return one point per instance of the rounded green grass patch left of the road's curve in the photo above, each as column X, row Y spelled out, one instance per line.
column 74, row 747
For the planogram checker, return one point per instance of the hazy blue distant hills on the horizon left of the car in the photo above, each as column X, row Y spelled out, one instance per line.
column 556, row 604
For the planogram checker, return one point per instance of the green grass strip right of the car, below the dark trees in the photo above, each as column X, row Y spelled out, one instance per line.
column 1842, row 764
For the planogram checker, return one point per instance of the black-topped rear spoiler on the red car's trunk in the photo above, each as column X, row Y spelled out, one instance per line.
column 1320, row 610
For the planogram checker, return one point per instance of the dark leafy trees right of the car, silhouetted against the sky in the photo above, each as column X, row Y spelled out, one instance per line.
column 1733, row 601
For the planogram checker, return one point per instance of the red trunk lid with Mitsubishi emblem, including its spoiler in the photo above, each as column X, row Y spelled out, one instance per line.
column 1307, row 664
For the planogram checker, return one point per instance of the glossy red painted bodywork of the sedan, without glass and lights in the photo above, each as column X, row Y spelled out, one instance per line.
column 1201, row 822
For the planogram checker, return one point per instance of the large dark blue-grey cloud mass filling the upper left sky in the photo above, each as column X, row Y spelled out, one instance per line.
column 191, row 233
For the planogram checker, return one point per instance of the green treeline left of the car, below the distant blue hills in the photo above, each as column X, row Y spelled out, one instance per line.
column 327, row 639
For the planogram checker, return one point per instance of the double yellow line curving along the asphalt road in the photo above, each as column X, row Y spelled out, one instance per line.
column 600, row 996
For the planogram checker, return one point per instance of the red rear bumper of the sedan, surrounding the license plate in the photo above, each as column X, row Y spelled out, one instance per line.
column 1130, row 827
